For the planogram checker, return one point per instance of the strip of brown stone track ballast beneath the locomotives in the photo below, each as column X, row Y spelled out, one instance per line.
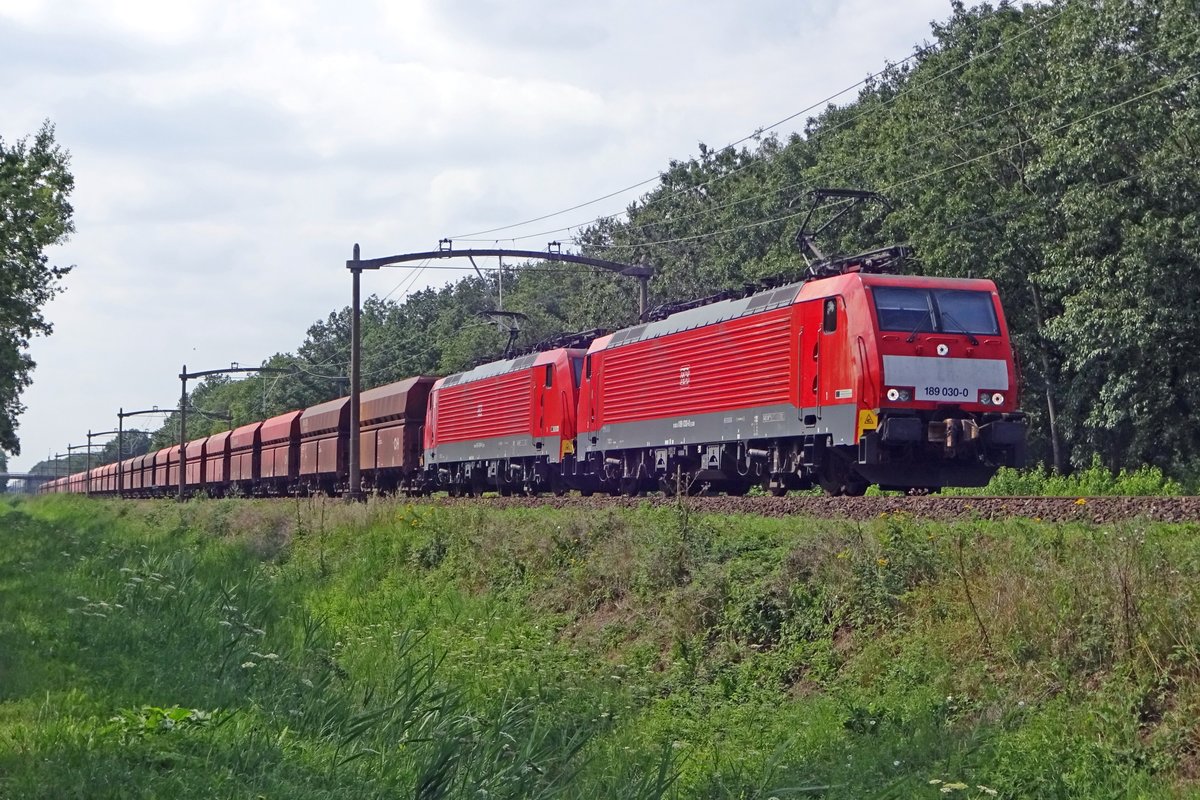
column 1090, row 510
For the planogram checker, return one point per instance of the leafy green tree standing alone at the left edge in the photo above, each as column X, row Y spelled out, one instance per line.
column 34, row 215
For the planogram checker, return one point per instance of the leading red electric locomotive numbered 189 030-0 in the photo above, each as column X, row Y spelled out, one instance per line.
column 845, row 381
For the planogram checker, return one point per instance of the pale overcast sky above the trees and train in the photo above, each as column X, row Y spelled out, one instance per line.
column 227, row 157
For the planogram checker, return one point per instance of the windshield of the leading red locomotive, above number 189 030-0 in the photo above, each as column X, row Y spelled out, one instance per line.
column 947, row 311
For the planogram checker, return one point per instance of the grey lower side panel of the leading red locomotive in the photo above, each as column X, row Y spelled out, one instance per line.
column 742, row 425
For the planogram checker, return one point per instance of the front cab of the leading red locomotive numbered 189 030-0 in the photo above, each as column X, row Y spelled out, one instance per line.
column 944, row 411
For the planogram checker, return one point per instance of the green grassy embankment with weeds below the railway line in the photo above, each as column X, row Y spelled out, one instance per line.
column 314, row 649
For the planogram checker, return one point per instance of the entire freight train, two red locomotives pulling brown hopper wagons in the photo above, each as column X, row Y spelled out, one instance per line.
column 850, row 378
